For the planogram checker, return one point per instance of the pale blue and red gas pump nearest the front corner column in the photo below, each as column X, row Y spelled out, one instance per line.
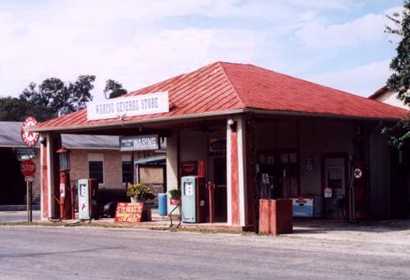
column 194, row 200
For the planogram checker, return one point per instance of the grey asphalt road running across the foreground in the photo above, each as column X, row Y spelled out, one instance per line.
column 95, row 253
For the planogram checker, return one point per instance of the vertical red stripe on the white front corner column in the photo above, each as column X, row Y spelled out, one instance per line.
column 234, row 179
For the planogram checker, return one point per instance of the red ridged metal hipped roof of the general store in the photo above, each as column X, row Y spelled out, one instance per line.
column 223, row 88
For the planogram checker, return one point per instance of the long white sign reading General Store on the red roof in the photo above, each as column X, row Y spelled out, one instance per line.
column 145, row 104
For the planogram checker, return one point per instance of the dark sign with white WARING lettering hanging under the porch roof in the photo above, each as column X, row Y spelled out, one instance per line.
column 139, row 143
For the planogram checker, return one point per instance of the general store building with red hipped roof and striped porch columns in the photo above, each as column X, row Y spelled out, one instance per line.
column 261, row 134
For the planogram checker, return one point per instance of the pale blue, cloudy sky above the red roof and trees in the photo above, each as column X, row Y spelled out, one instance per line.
column 338, row 43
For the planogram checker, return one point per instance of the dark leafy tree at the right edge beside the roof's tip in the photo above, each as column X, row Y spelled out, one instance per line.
column 399, row 81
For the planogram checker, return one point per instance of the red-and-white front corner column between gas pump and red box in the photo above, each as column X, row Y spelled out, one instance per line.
column 236, row 171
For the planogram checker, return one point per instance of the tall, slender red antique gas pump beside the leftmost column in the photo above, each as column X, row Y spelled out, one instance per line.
column 65, row 197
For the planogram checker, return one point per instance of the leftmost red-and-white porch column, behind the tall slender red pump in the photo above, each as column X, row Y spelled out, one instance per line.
column 49, row 143
